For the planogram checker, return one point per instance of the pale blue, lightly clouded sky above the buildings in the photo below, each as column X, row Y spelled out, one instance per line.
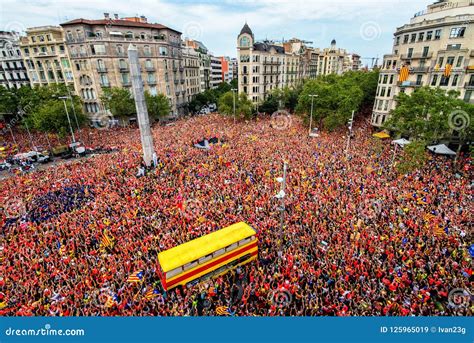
column 362, row 26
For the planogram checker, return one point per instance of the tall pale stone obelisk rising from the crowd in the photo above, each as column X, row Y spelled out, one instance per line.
column 140, row 103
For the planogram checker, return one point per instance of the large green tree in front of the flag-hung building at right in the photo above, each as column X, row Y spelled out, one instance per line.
column 430, row 114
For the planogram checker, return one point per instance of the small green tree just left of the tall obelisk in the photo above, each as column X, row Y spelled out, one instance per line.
column 119, row 101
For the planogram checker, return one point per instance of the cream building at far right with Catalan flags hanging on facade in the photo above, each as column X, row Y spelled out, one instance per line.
column 436, row 48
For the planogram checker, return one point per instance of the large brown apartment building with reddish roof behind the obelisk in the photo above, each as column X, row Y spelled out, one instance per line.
column 98, row 52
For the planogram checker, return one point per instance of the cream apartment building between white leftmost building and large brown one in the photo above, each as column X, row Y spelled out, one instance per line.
column 45, row 56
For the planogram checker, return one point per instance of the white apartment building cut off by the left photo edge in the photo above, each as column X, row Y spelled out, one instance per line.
column 13, row 72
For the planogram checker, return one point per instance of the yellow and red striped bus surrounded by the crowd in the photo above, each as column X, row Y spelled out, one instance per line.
column 208, row 256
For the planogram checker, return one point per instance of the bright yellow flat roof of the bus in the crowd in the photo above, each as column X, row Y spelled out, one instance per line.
column 204, row 245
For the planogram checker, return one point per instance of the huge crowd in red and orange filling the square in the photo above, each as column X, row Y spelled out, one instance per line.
column 359, row 238
